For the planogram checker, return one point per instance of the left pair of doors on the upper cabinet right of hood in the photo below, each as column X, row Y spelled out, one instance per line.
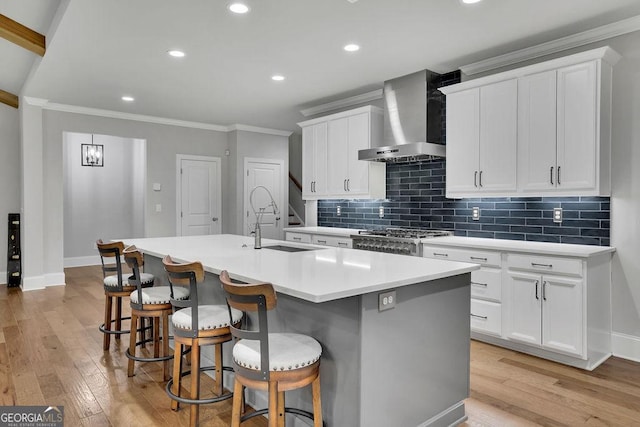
column 481, row 140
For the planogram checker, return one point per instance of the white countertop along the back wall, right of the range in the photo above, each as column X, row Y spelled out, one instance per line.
column 542, row 248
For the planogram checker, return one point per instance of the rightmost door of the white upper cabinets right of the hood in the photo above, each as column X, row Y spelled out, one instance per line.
column 577, row 117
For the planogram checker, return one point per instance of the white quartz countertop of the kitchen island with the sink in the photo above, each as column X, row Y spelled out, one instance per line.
column 319, row 275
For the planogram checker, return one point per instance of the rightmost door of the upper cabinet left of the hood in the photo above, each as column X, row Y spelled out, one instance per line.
column 359, row 139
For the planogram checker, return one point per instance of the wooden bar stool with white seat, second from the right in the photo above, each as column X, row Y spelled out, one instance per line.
column 196, row 325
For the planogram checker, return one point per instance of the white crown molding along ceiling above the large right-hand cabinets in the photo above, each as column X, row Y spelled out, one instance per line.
column 604, row 32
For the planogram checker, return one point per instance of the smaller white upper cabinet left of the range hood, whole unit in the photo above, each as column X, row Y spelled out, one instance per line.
column 345, row 176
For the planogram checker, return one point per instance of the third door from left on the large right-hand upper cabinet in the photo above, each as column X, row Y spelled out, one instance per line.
column 537, row 132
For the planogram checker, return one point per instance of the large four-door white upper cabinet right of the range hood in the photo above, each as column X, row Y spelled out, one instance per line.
column 560, row 111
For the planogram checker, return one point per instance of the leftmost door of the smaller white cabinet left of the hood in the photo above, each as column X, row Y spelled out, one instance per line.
column 314, row 160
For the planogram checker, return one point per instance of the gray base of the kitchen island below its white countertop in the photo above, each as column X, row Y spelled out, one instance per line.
column 406, row 366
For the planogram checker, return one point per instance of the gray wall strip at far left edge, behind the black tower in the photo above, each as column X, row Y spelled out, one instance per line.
column 9, row 176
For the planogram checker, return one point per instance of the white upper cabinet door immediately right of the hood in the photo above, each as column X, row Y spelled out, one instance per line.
column 463, row 124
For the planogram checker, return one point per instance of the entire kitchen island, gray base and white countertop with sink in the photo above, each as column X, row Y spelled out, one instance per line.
column 405, row 366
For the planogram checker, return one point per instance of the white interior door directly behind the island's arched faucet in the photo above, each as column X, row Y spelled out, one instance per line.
column 269, row 174
